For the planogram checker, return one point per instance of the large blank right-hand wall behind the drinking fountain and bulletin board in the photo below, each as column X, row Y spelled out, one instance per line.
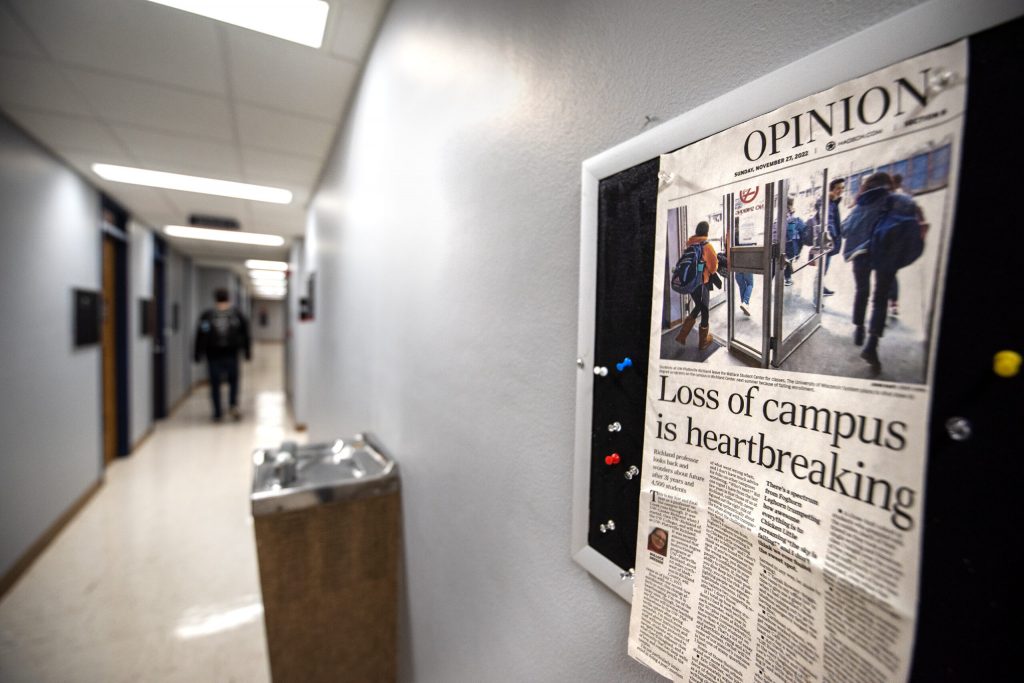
column 446, row 241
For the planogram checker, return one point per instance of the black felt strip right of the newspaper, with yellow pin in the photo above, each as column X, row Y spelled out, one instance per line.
column 970, row 586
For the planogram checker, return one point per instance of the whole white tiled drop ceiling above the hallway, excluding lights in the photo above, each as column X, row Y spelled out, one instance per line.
column 135, row 83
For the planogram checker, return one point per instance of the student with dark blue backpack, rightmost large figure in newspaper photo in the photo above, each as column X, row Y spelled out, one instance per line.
column 883, row 234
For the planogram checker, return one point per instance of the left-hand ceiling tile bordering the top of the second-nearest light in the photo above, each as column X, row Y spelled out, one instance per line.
column 179, row 154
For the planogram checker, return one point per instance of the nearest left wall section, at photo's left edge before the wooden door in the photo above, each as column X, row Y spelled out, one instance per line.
column 51, row 413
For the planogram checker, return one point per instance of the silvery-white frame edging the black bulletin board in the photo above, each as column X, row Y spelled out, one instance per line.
column 918, row 30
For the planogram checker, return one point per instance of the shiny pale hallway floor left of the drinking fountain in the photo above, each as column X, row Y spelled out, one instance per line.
column 156, row 579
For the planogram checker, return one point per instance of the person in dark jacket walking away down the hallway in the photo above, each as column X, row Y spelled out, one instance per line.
column 222, row 333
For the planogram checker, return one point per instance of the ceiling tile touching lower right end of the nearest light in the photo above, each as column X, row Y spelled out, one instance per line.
column 288, row 77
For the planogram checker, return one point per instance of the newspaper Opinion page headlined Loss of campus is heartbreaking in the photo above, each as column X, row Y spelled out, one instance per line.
column 787, row 425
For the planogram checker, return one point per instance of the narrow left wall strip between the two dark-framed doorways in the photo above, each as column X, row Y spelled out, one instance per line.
column 141, row 248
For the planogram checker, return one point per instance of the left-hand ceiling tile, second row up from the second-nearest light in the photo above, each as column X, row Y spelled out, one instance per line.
column 154, row 107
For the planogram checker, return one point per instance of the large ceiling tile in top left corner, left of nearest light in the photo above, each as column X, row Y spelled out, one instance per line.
column 130, row 37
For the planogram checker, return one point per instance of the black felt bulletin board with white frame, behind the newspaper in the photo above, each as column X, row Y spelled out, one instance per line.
column 966, row 585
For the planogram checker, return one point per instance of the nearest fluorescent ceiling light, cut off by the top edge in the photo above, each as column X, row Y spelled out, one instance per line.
column 298, row 21
